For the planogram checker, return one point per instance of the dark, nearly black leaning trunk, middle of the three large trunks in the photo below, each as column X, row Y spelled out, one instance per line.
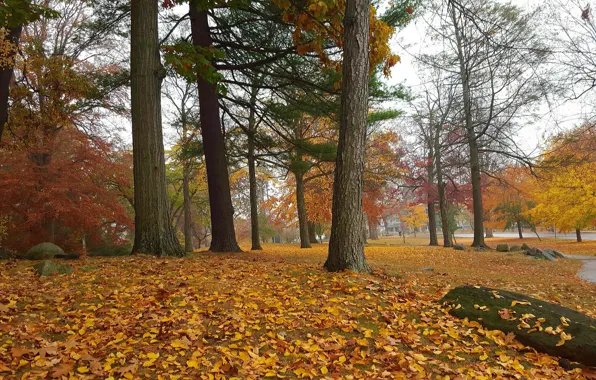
column 223, row 236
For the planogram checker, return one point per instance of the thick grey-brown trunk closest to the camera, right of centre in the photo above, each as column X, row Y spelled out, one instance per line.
column 346, row 244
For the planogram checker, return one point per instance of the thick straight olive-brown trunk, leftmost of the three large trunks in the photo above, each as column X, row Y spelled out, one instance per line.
column 154, row 234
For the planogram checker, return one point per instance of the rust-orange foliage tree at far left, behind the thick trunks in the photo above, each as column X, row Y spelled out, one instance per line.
column 59, row 180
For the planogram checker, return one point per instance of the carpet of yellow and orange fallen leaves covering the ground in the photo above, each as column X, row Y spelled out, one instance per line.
column 274, row 313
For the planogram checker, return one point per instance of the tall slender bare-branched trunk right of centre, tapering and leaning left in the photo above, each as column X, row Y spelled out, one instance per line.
column 472, row 141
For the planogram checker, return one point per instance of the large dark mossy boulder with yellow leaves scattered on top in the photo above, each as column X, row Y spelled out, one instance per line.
column 524, row 316
